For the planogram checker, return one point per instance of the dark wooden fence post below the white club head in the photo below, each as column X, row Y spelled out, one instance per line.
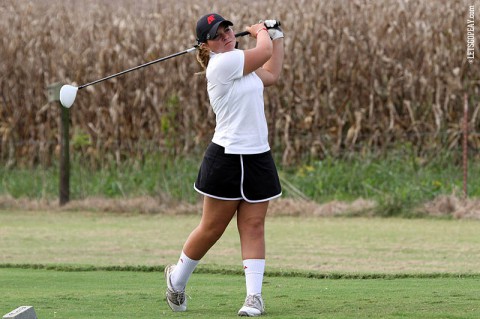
column 64, row 183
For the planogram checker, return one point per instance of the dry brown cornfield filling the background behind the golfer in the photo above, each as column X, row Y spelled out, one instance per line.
column 359, row 76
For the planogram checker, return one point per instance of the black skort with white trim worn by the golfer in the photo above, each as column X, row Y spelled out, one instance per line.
column 251, row 177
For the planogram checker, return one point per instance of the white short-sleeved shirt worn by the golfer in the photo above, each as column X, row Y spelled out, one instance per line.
column 237, row 102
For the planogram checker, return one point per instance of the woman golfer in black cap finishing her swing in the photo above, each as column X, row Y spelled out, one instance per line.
column 237, row 174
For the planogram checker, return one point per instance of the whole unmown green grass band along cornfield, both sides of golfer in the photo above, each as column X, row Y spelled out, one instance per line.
column 397, row 181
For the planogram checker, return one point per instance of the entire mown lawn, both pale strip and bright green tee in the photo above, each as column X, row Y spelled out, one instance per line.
column 416, row 268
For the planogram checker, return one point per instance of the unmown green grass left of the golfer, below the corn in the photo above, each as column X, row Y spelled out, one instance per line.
column 156, row 176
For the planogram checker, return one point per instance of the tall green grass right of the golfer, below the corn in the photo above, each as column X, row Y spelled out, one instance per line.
column 397, row 181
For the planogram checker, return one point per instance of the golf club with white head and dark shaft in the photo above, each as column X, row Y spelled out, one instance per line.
column 68, row 93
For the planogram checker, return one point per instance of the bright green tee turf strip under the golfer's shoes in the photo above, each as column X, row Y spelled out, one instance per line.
column 126, row 294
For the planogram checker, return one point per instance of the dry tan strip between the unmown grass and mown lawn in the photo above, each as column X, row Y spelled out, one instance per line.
column 442, row 206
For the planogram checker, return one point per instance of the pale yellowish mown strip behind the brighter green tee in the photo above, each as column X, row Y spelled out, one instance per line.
column 319, row 245
